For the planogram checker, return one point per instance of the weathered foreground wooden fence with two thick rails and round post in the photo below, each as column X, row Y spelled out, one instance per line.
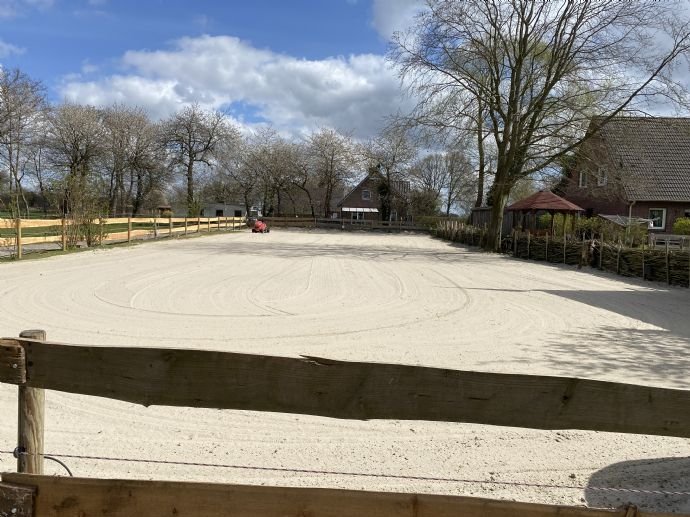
column 308, row 385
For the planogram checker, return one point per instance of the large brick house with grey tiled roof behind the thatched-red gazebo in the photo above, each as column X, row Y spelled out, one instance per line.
column 635, row 167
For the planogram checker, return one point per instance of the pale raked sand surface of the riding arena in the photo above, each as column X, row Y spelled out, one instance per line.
column 358, row 296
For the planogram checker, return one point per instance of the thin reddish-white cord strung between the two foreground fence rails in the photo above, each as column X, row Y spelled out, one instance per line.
column 365, row 474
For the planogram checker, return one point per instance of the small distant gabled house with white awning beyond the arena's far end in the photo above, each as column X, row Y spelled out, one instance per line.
column 363, row 203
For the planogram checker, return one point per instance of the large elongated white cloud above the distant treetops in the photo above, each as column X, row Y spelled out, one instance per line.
column 348, row 93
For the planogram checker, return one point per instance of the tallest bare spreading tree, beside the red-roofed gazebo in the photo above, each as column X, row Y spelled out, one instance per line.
column 534, row 72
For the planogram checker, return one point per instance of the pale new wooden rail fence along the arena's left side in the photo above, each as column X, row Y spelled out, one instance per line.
column 17, row 233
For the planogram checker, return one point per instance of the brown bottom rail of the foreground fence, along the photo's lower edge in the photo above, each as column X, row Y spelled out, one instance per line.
column 74, row 497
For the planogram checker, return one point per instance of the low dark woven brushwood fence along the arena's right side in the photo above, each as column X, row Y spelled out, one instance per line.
column 661, row 264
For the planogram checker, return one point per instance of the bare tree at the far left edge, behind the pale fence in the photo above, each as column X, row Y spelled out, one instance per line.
column 22, row 107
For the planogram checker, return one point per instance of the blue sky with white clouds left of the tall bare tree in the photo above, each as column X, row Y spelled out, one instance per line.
column 296, row 64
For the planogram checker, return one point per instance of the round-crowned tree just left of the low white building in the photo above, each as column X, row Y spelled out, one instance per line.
column 191, row 136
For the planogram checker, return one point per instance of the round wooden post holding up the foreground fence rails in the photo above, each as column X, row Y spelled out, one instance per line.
column 30, row 423
